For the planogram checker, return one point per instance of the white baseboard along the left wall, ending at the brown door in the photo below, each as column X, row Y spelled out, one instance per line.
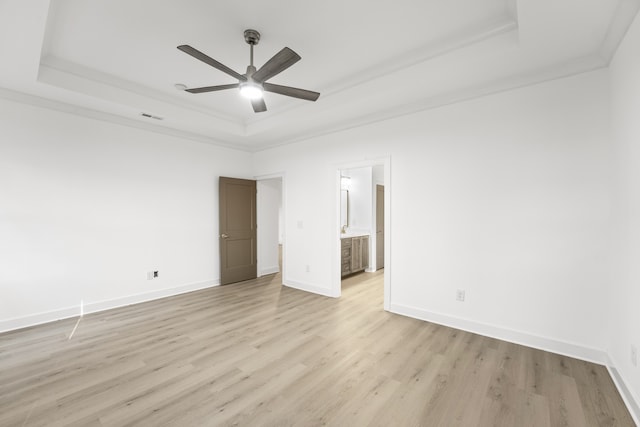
column 93, row 307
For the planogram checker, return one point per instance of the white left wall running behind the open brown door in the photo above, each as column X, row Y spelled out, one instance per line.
column 87, row 208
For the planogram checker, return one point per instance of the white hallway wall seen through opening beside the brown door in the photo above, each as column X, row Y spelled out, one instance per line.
column 269, row 202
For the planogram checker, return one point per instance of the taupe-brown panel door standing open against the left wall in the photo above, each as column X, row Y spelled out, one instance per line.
column 238, row 252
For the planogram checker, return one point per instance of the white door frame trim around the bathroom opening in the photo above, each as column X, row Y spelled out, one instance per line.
column 336, row 287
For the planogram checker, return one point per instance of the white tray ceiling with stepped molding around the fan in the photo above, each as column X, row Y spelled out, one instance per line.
column 369, row 59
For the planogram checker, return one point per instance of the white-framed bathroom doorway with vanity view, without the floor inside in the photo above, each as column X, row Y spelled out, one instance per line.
column 362, row 223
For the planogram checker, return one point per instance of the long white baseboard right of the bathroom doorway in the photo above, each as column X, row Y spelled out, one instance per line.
column 548, row 344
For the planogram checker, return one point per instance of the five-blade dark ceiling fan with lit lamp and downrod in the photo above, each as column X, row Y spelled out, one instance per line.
column 254, row 81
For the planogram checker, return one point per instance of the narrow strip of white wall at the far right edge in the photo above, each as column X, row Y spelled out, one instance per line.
column 624, row 291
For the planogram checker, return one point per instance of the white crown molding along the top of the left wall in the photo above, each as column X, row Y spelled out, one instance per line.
column 36, row 101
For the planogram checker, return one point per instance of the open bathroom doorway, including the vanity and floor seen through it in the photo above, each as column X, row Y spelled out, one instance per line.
column 363, row 232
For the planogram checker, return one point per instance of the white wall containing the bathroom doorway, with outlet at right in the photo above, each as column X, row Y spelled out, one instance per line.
column 506, row 196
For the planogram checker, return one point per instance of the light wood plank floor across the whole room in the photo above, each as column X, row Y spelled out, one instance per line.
column 260, row 354
